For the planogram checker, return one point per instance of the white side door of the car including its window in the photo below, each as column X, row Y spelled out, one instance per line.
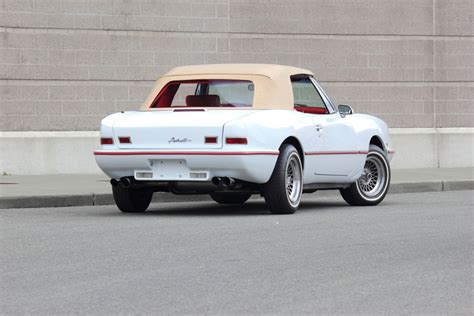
column 330, row 151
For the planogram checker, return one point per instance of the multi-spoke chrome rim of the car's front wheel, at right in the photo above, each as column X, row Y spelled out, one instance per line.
column 373, row 180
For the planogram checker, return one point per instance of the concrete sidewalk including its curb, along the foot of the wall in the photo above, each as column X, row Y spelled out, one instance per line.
column 83, row 190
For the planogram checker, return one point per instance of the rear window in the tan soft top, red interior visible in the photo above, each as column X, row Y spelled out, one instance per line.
column 205, row 93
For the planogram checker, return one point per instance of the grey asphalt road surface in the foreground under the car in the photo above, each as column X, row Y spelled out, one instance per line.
column 411, row 254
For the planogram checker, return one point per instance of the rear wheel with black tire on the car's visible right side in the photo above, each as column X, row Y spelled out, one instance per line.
column 275, row 191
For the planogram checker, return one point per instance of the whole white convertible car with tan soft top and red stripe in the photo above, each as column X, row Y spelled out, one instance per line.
column 234, row 130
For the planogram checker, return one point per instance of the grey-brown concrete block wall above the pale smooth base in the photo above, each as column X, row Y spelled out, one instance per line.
column 65, row 64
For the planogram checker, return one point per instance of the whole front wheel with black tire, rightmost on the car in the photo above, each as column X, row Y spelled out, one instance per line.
column 371, row 187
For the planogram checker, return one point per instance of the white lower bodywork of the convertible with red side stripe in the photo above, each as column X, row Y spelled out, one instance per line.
column 334, row 147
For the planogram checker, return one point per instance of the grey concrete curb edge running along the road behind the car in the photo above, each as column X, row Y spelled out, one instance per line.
column 107, row 199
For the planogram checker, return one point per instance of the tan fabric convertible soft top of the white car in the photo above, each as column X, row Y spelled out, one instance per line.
column 272, row 82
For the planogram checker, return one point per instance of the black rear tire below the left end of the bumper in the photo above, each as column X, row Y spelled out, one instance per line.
column 131, row 200
